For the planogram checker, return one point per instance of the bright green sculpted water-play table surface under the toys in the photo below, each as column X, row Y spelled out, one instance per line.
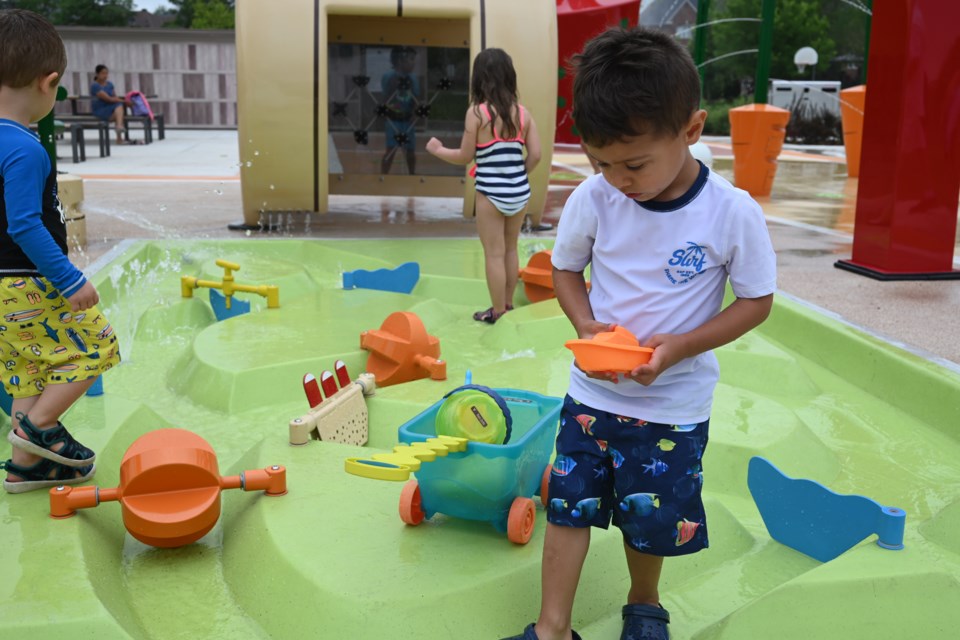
column 331, row 559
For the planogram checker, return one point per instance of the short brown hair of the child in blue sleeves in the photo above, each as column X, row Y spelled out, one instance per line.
column 29, row 48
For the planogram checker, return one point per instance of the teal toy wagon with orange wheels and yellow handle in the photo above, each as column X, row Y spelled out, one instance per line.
column 473, row 480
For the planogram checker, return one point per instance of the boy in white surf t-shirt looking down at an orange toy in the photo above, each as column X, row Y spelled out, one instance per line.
column 663, row 235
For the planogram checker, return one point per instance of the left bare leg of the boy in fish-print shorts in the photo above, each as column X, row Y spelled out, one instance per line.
column 564, row 550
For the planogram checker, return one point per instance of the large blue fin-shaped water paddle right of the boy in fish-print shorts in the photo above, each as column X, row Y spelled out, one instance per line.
column 806, row 516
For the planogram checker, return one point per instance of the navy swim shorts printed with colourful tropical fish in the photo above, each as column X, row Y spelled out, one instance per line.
column 647, row 475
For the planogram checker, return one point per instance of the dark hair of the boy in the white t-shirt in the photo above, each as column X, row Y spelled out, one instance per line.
column 630, row 82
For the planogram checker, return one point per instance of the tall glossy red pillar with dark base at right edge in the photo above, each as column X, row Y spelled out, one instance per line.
column 907, row 195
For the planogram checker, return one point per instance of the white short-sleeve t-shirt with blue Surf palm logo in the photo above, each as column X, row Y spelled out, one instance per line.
column 662, row 267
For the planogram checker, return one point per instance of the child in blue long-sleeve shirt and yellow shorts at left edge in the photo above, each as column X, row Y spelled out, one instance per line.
column 54, row 343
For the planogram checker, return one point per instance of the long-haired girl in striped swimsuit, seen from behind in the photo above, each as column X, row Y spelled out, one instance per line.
column 497, row 129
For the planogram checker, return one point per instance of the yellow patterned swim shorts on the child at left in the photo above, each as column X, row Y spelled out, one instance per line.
column 42, row 342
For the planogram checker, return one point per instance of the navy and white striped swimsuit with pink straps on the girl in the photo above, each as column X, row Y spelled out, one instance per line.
column 501, row 173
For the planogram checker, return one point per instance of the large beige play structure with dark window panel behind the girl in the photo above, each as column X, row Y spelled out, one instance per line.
column 302, row 141
